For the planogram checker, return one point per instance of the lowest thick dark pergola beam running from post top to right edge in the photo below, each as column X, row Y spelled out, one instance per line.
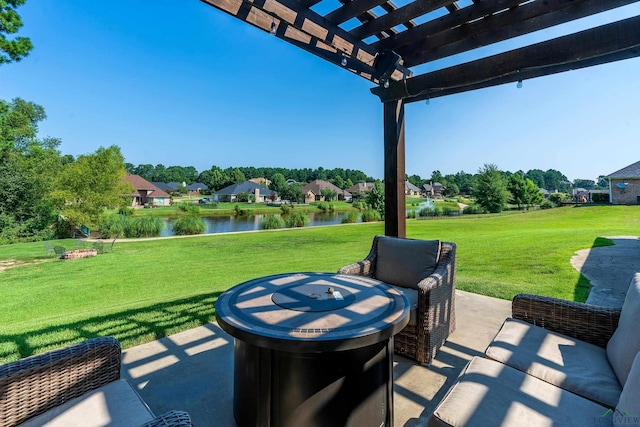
column 612, row 42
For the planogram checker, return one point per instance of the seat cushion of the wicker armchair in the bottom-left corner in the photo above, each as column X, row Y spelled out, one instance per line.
column 115, row 404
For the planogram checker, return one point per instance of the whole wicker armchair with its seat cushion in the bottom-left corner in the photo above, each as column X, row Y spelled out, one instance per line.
column 78, row 385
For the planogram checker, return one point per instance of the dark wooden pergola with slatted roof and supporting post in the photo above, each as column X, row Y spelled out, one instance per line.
column 385, row 41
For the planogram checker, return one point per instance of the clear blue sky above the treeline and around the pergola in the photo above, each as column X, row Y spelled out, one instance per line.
column 177, row 82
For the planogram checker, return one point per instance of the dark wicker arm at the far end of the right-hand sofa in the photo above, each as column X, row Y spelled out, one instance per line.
column 586, row 322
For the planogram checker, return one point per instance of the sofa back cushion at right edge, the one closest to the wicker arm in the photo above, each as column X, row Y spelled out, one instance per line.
column 625, row 342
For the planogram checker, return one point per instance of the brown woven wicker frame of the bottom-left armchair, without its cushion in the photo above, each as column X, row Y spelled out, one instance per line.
column 34, row 385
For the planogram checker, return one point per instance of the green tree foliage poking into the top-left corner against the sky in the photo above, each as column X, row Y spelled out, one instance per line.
column 10, row 23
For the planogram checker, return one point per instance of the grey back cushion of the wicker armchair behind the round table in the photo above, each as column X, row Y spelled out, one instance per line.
column 404, row 262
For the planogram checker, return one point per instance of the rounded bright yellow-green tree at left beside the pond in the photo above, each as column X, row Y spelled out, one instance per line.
column 93, row 183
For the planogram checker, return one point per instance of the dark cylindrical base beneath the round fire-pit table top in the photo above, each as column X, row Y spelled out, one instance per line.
column 340, row 388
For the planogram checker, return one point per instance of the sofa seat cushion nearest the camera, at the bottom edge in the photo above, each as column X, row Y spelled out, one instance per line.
column 488, row 393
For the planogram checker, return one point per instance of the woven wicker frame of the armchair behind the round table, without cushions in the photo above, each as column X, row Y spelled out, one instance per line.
column 435, row 310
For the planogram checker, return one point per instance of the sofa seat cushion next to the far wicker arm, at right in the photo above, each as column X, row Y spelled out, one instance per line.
column 571, row 364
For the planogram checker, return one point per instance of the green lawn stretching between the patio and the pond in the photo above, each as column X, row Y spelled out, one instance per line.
column 148, row 289
